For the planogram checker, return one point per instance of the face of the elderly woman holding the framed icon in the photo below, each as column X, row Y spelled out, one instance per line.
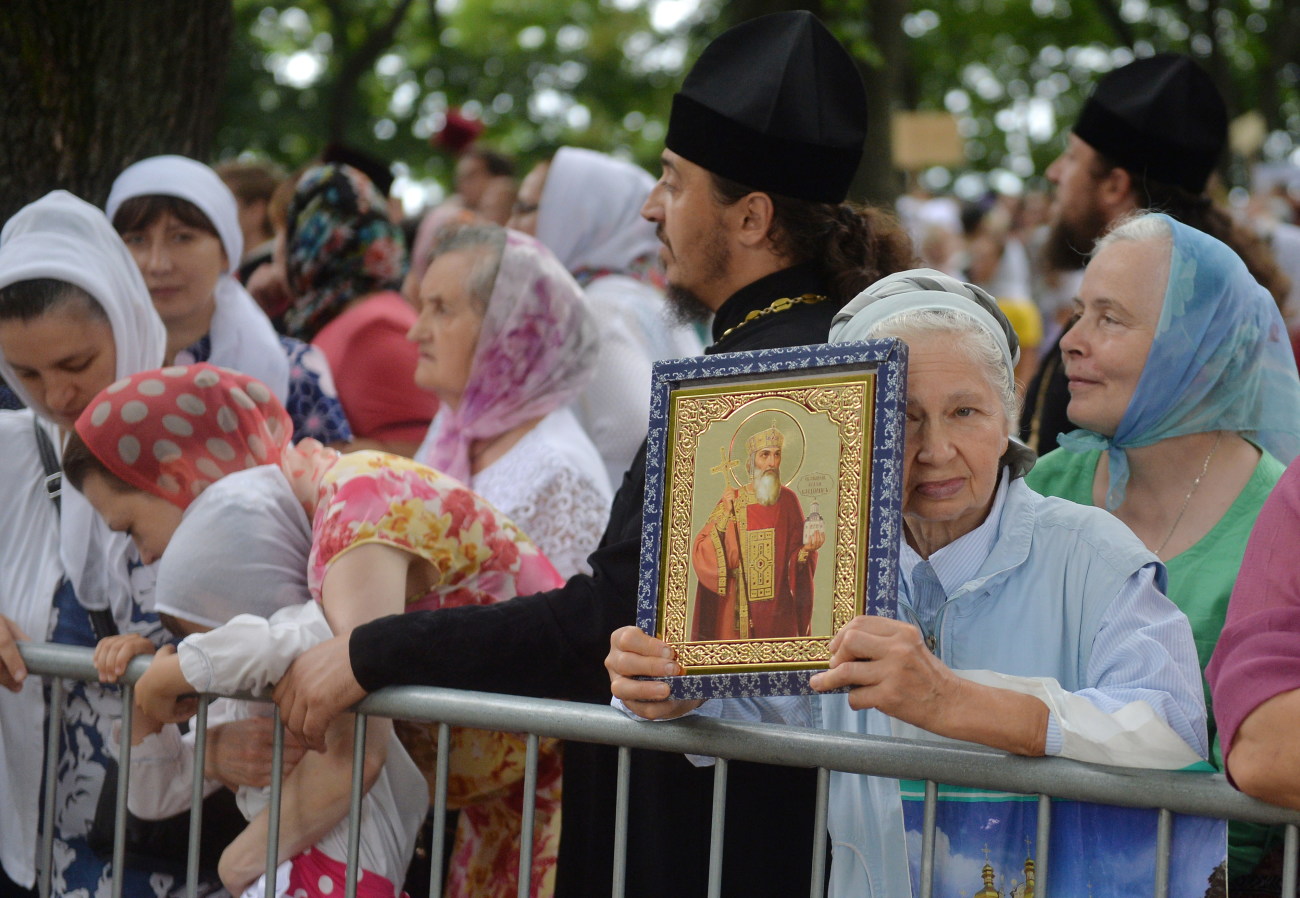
column 956, row 437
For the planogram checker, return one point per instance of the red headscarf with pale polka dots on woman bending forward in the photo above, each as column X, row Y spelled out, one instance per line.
column 172, row 432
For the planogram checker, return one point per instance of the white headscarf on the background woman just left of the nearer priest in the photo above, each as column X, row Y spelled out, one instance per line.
column 590, row 214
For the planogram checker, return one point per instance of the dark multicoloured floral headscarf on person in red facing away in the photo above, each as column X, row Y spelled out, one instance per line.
column 340, row 245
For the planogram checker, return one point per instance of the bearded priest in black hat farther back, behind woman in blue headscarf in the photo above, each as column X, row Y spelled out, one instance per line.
column 1149, row 138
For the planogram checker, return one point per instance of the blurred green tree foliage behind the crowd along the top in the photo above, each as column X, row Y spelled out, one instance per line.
column 596, row 73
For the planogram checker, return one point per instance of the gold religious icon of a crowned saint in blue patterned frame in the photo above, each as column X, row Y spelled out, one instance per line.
column 772, row 510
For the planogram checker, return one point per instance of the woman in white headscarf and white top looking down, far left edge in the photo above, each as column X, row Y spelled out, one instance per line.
column 75, row 316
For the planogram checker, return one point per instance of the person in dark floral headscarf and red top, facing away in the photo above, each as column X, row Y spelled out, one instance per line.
column 345, row 262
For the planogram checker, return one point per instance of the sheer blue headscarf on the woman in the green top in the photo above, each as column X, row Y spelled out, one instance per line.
column 1221, row 361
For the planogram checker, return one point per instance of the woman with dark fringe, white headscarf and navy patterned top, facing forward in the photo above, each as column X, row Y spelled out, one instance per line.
column 181, row 225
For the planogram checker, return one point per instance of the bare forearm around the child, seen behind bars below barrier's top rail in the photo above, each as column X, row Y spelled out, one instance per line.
column 315, row 800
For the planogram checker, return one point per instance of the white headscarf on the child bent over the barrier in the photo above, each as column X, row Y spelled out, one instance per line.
column 241, row 549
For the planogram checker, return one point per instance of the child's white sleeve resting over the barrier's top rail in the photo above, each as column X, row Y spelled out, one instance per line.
column 249, row 654
